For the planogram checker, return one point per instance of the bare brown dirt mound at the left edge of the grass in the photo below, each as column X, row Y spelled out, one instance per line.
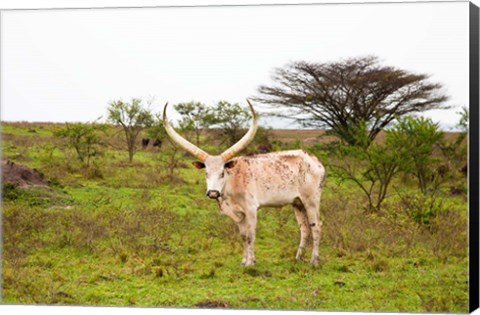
column 21, row 176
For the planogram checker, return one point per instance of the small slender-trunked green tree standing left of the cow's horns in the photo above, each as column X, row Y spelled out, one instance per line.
column 133, row 118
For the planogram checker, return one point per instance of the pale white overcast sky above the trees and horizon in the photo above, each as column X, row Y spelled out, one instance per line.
column 67, row 65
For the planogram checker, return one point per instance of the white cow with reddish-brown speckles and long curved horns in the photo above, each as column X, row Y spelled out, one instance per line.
column 243, row 184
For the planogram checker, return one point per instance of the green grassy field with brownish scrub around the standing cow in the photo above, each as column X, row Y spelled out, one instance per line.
column 138, row 235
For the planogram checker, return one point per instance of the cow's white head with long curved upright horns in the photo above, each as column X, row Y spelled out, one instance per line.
column 215, row 165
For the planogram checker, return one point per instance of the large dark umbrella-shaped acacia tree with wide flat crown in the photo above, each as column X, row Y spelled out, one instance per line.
column 341, row 95
